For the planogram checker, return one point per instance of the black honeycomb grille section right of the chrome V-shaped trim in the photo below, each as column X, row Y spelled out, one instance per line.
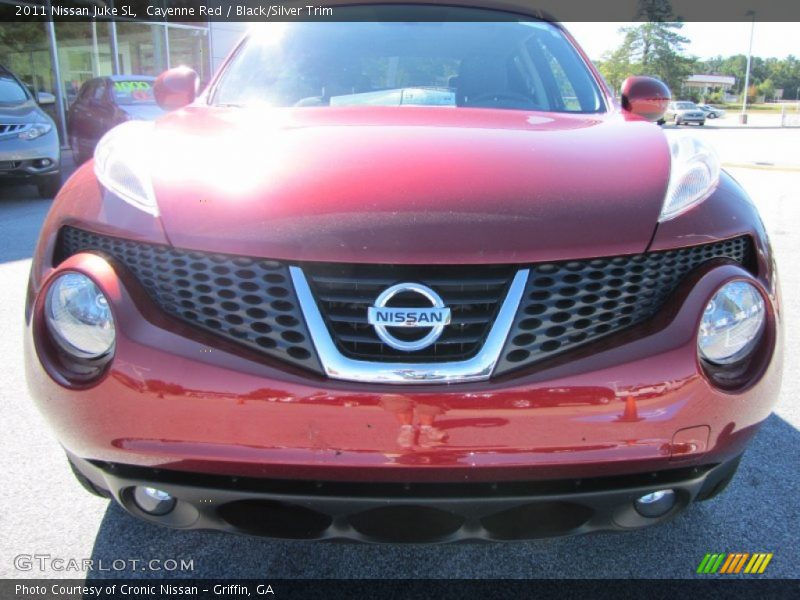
column 569, row 304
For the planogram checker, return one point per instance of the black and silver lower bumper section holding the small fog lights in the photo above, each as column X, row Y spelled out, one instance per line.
column 429, row 513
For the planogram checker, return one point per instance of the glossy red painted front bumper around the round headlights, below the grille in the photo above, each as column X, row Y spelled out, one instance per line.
column 177, row 398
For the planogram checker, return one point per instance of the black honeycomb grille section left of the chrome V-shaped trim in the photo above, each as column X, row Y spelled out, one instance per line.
column 247, row 300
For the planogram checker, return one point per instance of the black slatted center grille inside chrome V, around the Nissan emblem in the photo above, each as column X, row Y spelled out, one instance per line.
column 345, row 292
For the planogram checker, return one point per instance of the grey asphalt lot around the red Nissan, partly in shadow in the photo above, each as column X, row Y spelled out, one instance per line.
column 43, row 511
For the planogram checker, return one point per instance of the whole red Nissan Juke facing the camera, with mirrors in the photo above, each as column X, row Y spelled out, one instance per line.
column 404, row 280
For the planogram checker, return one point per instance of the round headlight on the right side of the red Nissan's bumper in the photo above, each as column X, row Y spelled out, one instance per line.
column 732, row 323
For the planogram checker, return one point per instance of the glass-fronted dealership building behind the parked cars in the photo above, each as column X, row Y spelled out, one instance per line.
column 58, row 57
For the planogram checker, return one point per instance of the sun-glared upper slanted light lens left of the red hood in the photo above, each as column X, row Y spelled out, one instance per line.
column 122, row 162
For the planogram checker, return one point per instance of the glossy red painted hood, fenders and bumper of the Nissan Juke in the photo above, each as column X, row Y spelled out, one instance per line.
column 415, row 186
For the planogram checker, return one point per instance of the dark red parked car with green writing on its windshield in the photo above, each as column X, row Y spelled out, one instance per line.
column 103, row 103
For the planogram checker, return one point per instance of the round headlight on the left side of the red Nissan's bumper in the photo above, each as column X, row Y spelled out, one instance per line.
column 79, row 318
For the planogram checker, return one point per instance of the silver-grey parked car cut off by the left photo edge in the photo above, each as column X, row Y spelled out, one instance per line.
column 29, row 147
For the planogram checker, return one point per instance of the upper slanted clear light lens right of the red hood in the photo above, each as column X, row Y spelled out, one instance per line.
column 693, row 176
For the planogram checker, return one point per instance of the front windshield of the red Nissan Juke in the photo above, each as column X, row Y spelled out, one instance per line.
column 511, row 65
